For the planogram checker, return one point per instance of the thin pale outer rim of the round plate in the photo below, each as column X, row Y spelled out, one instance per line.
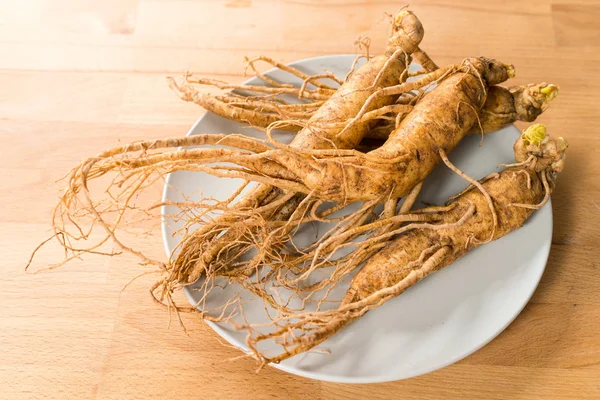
column 545, row 251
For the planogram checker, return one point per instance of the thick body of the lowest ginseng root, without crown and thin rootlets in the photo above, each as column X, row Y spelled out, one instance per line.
column 510, row 187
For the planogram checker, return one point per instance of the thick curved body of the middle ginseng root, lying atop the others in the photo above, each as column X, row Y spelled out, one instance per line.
column 440, row 120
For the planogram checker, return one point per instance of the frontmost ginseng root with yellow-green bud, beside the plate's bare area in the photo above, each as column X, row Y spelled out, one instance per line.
column 422, row 250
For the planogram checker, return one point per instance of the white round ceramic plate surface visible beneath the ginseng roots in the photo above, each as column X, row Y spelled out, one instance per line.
column 443, row 319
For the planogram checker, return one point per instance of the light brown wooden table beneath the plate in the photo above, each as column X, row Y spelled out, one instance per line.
column 78, row 76
